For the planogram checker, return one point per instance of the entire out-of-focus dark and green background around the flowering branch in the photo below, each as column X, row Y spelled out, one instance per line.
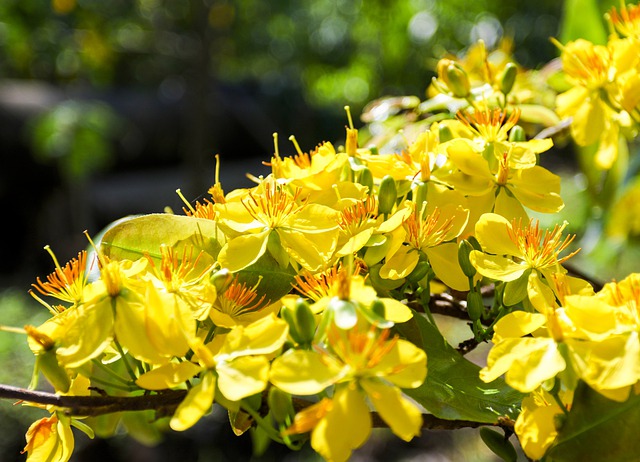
column 106, row 107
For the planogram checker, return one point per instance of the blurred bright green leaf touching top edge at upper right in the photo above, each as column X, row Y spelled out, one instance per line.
column 583, row 19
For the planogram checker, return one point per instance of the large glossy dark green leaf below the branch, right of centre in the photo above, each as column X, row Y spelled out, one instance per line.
column 453, row 389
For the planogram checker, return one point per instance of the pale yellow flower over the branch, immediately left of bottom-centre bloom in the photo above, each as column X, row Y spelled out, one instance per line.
column 235, row 363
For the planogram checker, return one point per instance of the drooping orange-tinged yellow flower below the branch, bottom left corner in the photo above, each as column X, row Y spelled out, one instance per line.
column 50, row 438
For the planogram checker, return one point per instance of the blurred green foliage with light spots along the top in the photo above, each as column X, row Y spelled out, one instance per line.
column 334, row 51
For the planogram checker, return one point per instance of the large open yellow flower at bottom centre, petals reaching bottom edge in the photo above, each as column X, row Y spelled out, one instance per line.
column 364, row 364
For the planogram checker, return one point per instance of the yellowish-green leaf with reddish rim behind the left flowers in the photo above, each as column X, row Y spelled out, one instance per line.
column 133, row 238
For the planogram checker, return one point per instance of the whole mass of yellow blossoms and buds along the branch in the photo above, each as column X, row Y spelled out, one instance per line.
column 284, row 302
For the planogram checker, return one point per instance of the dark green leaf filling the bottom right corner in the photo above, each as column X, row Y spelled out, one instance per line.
column 598, row 429
